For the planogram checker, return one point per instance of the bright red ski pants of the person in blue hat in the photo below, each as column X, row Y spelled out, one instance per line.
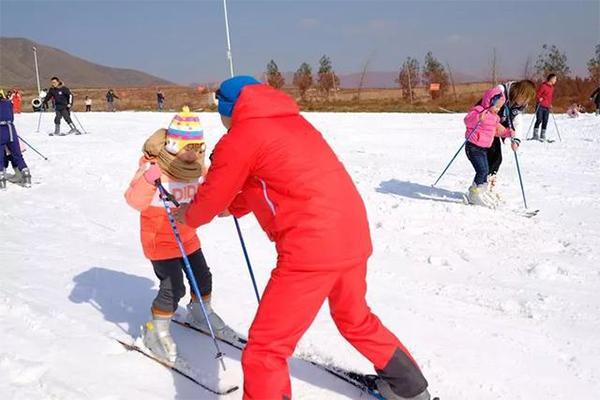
column 289, row 305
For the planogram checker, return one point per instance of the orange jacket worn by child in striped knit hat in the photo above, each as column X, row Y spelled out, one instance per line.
column 158, row 240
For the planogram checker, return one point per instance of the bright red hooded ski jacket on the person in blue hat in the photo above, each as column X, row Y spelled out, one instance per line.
column 272, row 162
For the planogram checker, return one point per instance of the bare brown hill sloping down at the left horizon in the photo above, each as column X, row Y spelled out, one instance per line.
column 17, row 68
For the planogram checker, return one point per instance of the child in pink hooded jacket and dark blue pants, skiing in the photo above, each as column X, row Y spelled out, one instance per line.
column 483, row 124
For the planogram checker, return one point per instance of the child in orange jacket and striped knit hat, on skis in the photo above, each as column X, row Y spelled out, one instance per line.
column 176, row 157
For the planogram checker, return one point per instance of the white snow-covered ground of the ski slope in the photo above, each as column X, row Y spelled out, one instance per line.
column 492, row 304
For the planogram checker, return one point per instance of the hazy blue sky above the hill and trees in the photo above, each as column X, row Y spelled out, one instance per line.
column 184, row 41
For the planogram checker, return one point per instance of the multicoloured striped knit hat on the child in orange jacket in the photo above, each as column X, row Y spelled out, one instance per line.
column 185, row 128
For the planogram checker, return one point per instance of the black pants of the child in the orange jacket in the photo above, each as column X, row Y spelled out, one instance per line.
column 172, row 288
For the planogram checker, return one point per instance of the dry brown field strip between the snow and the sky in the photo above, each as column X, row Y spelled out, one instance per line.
column 342, row 100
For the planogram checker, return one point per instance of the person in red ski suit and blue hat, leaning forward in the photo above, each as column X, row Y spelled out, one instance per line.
column 274, row 163
